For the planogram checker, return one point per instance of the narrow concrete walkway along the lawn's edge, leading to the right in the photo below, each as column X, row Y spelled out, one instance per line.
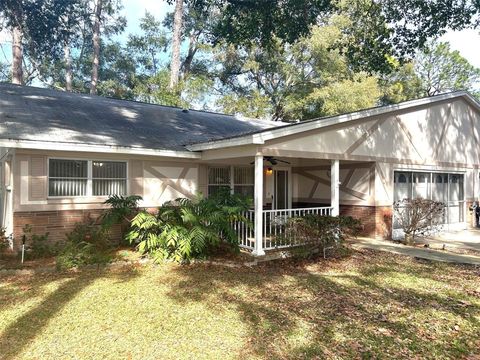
column 422, row 253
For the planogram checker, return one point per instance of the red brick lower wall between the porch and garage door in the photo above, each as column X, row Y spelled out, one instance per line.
column 377, row 221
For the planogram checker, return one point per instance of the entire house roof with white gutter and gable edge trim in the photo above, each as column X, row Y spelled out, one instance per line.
column 46, row 119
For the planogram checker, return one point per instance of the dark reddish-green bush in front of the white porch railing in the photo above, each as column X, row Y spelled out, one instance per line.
column 318, row 232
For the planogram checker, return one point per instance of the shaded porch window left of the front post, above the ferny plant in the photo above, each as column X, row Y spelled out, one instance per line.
column 222, row 176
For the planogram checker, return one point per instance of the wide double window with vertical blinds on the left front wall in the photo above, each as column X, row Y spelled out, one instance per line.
column 86, row 177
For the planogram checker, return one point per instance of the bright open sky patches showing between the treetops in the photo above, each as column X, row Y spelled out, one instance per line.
column 467, row 42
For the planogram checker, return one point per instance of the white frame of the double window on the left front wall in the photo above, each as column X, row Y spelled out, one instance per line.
column 90, row 179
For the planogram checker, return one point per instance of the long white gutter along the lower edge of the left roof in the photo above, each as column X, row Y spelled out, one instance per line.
column 111, row 149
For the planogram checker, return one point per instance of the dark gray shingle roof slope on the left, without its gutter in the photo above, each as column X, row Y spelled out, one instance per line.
column 29, row 113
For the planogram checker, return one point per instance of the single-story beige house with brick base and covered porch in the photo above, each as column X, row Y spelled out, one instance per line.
column 62, row 154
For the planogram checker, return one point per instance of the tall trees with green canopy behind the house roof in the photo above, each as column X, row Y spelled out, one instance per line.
column 284, row 60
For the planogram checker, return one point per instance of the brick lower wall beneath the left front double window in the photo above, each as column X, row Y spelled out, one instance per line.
column 56, row 223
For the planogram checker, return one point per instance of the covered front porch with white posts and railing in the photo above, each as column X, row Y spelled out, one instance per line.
column 287, row 187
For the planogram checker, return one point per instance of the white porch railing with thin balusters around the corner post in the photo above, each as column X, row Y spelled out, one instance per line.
column 273, row 231
